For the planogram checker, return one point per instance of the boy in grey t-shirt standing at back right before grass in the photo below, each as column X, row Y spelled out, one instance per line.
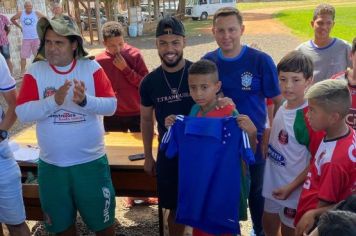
column 330, row 55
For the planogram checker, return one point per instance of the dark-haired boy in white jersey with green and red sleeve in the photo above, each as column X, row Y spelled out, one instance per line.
column 289, row 148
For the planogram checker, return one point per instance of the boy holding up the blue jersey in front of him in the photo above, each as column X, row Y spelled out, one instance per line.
column 204, row 85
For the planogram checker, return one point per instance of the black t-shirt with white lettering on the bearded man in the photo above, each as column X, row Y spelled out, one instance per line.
column 156, row 92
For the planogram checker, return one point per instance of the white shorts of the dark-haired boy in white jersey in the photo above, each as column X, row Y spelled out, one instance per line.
column 286, row 215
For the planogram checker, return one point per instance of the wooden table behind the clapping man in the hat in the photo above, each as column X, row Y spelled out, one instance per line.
column 129, row 178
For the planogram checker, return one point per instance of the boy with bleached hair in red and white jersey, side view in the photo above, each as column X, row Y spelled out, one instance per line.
column 332, row 174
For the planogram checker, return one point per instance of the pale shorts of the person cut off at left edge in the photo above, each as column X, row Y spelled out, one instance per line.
column 11, row 201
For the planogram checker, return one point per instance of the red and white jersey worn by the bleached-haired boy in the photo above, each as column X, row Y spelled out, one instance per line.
column 332, row 174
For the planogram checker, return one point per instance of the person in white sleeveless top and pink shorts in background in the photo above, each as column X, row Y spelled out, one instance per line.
column 28, row 21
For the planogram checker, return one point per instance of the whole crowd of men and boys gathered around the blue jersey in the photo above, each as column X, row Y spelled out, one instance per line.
column 295, row 172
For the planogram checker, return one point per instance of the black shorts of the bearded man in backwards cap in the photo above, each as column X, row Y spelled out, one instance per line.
column 167, row 181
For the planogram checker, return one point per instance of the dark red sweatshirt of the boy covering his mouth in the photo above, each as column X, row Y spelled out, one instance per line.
column 125, row 83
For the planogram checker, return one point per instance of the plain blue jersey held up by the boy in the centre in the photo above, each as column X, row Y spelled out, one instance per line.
column 209, row 171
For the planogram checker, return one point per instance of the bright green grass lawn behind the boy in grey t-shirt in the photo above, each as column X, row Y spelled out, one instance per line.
column 299, row 21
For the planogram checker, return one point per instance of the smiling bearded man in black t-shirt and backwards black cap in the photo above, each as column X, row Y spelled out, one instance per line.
column 165, row 91
